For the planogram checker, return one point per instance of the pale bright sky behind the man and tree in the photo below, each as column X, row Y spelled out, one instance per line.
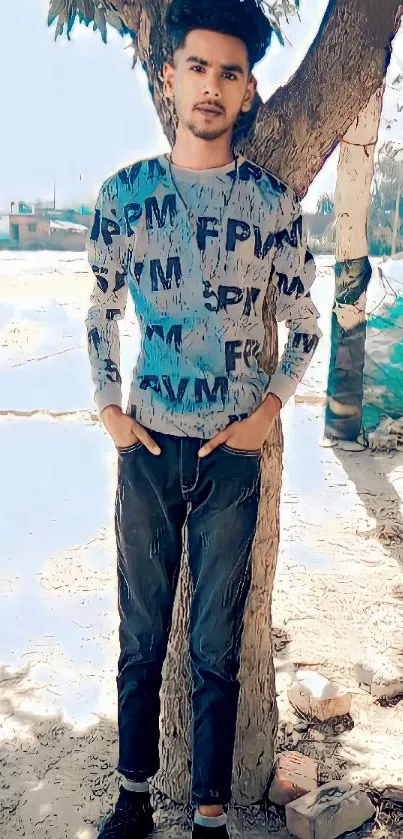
column 76, row 111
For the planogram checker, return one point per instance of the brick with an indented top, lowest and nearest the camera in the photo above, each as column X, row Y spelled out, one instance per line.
column 335, row 808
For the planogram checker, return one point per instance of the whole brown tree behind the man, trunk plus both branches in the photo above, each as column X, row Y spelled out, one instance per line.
column 295, row 131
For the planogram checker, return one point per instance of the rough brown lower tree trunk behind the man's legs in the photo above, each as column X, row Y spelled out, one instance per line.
column 257, row 718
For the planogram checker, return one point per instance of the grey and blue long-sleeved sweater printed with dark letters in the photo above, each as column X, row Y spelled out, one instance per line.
column 198, row 251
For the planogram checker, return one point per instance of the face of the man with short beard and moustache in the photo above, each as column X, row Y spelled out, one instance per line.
column 210, row 83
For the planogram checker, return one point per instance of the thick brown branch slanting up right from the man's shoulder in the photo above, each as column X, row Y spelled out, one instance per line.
column 301, row 124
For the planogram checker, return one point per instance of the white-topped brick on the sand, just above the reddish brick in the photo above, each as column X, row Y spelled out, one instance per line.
column 316, row 697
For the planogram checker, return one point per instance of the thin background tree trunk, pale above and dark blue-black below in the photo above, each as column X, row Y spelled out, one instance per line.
column 352, row 275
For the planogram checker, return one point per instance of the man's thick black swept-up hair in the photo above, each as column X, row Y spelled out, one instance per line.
column 243, row 19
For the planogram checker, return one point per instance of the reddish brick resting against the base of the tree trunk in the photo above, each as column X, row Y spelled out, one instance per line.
column 294, row 775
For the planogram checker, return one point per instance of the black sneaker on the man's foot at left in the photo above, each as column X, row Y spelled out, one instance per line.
column 132, row 817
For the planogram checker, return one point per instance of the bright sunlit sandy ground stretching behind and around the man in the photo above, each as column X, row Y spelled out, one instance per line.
column 339, row 584
